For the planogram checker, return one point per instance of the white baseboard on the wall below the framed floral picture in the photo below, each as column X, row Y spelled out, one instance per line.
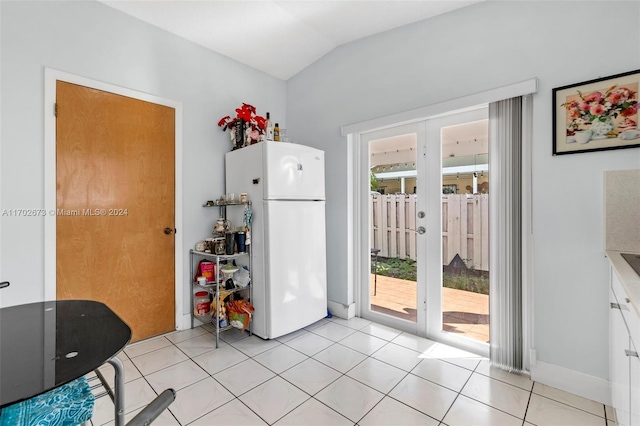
column 572, row 381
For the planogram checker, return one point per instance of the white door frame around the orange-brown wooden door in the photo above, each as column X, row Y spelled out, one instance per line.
column 50, row 78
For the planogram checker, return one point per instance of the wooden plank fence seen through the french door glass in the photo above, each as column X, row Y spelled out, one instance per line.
column 465, row 227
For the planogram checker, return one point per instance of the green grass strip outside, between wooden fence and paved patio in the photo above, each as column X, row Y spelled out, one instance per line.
column 405, row 269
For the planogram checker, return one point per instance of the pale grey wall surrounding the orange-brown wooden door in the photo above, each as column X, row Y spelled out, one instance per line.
column 92, row 40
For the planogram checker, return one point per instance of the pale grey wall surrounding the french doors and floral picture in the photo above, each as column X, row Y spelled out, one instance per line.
column 482, row 47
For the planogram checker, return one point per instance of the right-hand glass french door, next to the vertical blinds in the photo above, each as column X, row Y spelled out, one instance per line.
column 458, row 286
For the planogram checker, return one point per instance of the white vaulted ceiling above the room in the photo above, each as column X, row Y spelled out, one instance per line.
column 280, row 38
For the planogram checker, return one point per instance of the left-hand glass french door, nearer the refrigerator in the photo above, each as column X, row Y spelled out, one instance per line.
column 391, row 298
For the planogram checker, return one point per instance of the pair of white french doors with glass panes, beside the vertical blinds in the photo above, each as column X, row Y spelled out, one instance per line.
column 409, row 173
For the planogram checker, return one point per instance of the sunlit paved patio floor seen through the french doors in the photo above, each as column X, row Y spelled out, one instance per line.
column 464, row 312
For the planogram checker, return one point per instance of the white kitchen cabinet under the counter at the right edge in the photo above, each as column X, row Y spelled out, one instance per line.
column 624, row 364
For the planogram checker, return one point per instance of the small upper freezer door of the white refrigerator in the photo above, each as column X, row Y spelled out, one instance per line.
column 293, row 172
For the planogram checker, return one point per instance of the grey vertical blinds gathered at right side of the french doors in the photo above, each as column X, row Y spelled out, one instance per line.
column 505, row 205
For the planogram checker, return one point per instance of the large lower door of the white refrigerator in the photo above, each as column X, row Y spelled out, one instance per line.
column 296, row 289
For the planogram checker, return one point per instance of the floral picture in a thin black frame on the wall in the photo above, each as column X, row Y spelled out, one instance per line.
column 597, row 115
